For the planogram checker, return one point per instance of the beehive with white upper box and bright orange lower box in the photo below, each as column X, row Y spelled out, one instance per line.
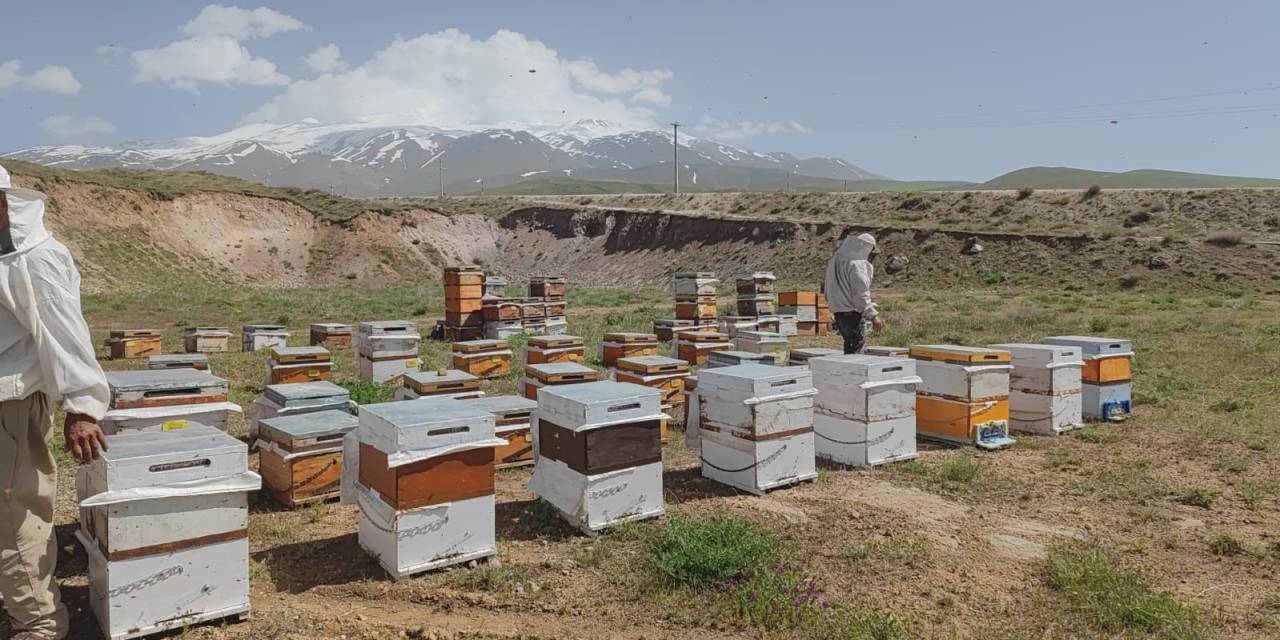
column 963, row 395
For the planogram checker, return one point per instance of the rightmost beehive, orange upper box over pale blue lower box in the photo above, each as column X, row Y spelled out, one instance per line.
column 1108, row 378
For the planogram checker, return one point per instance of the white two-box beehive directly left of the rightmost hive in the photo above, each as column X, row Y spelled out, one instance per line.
column 1044, row 388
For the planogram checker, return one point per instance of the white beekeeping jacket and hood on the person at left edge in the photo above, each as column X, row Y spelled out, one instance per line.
column 45, row 345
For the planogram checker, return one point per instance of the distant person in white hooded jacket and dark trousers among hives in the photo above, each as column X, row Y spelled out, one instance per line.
column 849, row 290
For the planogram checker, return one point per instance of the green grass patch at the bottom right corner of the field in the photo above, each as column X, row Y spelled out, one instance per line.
column 1118, row 600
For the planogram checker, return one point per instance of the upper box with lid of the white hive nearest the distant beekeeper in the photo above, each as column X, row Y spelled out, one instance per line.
column 865, row 388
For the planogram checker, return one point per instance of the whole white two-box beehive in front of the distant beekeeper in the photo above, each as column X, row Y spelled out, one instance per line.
column 865, row 414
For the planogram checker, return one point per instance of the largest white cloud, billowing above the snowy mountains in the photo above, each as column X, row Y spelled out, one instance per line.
column 450, row 79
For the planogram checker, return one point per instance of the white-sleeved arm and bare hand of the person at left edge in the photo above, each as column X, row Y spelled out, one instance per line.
column 72, row 374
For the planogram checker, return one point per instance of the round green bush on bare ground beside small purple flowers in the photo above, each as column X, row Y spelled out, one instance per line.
column 710, row 552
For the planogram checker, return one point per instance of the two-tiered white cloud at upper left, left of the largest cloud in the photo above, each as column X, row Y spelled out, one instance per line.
column 214, row 53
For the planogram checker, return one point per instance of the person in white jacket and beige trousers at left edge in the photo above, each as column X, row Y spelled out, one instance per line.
column 47, row 360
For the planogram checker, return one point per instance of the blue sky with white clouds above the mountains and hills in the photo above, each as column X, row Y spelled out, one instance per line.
column 909, row 90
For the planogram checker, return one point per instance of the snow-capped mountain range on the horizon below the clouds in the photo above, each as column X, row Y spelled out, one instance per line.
column 368, row 159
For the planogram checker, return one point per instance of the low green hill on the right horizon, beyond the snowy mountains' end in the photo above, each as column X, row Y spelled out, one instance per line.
column 1071, row 179
